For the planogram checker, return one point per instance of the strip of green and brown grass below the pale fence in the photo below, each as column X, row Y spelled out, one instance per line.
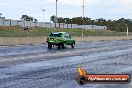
column 33, row 32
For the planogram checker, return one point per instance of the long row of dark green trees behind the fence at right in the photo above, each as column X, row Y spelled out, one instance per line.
column 113, row 25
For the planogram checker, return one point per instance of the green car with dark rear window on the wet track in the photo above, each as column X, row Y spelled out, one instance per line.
column 60, row 39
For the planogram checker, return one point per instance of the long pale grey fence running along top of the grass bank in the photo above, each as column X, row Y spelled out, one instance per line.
column 8, row 22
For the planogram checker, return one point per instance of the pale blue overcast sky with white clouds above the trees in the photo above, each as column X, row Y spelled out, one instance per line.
column 108, row 9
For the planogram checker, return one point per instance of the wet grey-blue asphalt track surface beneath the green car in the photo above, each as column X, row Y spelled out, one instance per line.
column 56, row 68
